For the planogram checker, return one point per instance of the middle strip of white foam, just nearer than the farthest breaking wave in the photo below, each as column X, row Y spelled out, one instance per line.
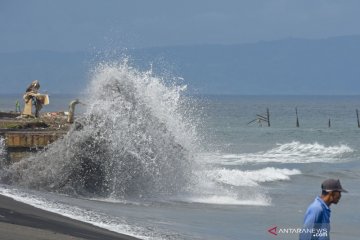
column 251, row 178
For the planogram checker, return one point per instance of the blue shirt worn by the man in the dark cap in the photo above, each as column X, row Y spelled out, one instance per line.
column 316, row 221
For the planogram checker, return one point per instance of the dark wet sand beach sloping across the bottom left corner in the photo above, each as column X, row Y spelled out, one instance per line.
column 20, row 221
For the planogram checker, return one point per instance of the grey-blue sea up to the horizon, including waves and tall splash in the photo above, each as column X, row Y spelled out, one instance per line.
column 152, row 162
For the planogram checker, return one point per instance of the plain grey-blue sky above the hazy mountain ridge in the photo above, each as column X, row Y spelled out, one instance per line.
column 78, row 25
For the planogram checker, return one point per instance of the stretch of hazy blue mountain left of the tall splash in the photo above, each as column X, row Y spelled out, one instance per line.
column 58, row 72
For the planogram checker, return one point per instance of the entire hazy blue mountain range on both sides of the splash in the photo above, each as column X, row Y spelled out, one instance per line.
column 291, row 66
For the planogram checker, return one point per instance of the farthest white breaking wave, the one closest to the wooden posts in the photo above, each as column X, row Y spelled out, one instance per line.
column 294, row 152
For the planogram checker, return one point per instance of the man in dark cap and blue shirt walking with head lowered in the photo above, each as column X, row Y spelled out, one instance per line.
column 317, row 216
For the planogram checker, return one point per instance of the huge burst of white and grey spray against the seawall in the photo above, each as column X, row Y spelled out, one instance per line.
column 133, row 140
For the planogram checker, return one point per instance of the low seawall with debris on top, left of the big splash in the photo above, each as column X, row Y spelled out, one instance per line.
column 23, row 136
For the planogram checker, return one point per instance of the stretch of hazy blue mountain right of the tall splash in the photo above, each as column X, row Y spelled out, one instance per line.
column 292, row 66
